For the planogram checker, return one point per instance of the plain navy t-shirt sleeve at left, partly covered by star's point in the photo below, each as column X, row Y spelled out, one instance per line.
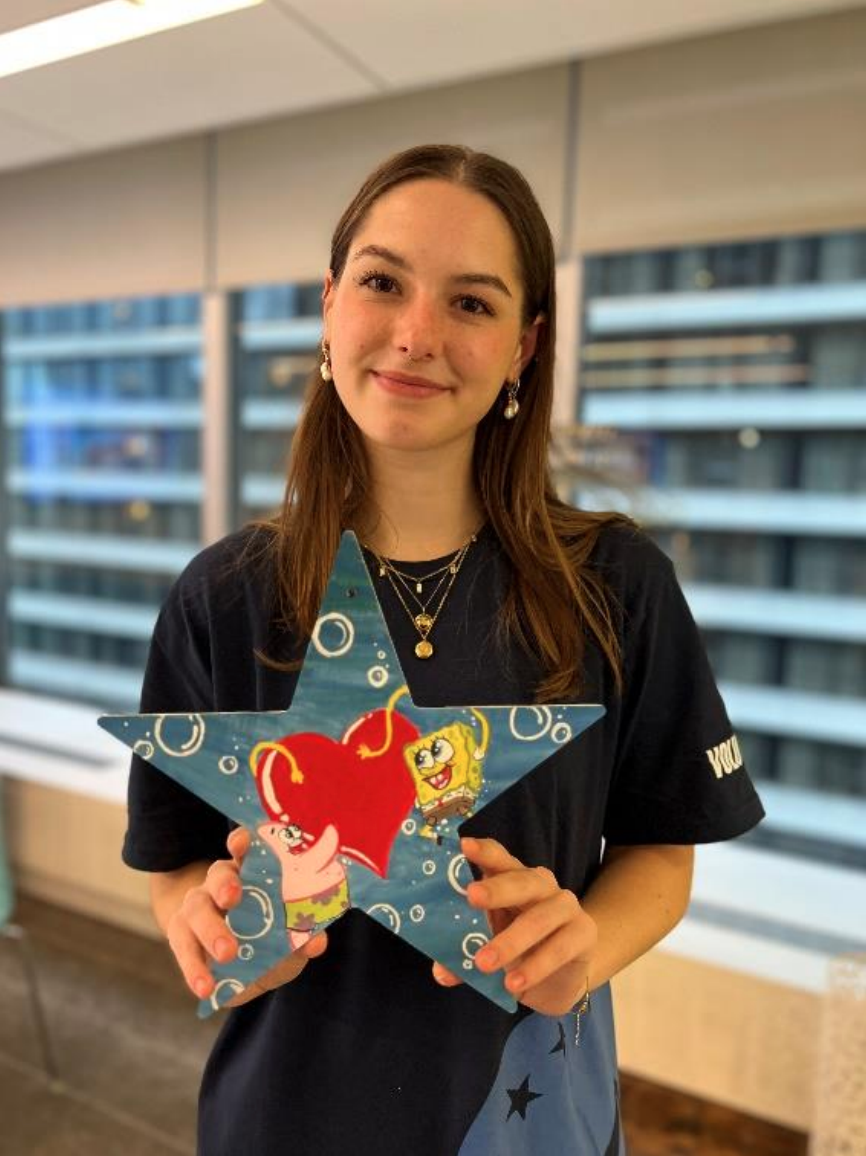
column 168, row 826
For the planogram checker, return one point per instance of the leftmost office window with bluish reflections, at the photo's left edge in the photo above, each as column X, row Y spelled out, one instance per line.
column 102, row 420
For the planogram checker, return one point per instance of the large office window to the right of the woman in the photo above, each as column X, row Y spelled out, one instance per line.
column 737, row 375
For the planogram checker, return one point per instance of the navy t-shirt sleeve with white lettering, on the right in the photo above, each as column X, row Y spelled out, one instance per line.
column 679, row 775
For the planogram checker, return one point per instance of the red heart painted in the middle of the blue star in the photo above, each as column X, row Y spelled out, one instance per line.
column 361, row 784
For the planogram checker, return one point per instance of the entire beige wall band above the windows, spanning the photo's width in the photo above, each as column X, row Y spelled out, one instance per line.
column 745, row 135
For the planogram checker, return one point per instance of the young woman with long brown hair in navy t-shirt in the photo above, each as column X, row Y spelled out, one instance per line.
column 426, row 433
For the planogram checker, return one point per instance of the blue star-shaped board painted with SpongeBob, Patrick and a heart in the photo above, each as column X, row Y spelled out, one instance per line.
column 354, row 794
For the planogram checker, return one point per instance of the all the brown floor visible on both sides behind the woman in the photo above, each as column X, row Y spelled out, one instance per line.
column 129, row 1050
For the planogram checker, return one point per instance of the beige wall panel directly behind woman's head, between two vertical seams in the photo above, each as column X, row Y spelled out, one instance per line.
column 283, row 186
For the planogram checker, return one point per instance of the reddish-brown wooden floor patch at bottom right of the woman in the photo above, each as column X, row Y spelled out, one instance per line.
column 661, row 1122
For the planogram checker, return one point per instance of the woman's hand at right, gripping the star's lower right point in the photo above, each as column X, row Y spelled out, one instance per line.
column 543, row 938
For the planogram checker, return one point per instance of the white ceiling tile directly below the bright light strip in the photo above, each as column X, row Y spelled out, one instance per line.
column 245, row 66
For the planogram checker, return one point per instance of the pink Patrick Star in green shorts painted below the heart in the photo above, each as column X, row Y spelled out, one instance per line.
column 315, row 890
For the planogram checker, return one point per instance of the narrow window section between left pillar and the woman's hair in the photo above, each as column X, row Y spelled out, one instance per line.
column 278, row 334
